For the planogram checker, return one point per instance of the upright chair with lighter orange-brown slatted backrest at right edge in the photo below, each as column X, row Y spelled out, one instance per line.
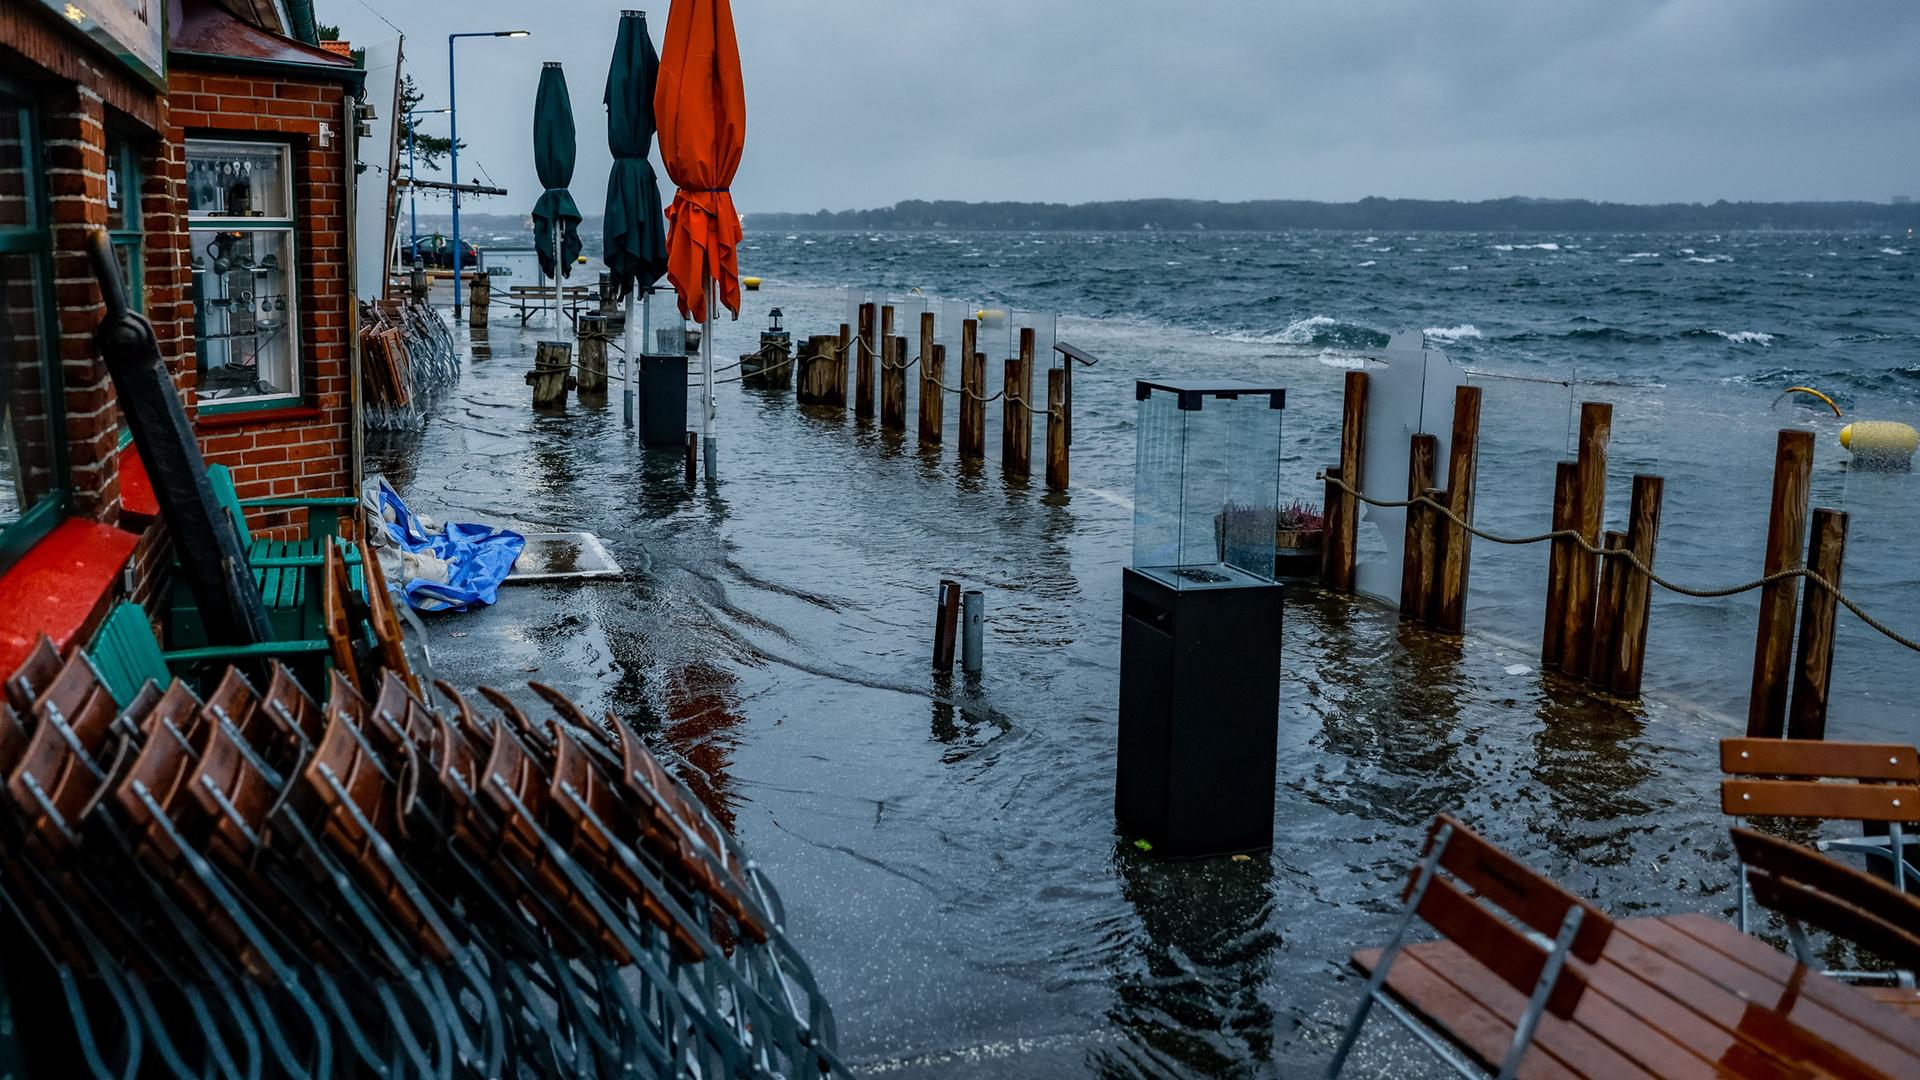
column 1827, row 781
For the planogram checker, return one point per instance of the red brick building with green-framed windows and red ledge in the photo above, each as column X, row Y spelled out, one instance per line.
column 220, row 162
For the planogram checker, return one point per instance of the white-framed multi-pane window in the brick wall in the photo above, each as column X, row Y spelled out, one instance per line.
column 245, row 305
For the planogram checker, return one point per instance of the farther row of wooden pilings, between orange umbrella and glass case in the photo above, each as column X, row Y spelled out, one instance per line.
column 823, row 372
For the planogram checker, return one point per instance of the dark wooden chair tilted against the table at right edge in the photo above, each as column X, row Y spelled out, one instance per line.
column 1808, row 889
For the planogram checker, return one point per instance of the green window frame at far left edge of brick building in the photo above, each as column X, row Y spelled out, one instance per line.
column 37, row 243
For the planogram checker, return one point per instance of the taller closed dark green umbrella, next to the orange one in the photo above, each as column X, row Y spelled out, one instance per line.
column 636, row 232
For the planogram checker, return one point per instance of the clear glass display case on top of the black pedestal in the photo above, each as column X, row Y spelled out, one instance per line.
column 1207, row 481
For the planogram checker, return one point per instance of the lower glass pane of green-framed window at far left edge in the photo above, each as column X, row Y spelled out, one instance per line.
column 28, row 454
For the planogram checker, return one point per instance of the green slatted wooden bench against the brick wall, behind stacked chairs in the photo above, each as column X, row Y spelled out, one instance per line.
column 287, row 572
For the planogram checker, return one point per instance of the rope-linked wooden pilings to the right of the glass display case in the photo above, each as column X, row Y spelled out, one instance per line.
column 1598, row 604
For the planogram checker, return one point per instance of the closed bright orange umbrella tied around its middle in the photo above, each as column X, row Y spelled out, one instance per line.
column 700, row 109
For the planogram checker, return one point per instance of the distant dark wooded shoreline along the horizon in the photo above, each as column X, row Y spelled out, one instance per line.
column 1282, row 216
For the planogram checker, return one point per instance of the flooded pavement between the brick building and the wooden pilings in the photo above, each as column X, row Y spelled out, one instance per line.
column 948, row 847
